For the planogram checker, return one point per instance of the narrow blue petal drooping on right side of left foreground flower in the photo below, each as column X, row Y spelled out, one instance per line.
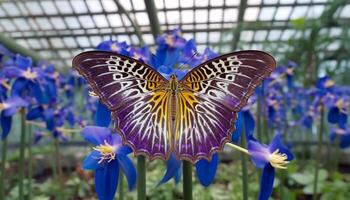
column 128, row 169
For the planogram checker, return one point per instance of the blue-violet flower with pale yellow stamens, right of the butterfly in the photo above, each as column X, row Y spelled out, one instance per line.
column 276, row 155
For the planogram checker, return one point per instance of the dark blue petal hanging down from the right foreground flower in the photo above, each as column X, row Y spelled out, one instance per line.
column 266, row 182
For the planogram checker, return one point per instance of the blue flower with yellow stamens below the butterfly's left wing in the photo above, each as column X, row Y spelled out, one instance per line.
column 108, row 157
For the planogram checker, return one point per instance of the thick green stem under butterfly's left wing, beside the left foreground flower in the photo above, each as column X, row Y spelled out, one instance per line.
column 141, row 178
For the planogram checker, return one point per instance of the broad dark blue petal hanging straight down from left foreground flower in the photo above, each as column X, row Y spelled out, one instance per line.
column 106, row 180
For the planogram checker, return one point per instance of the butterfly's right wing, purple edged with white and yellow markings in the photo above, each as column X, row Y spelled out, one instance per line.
column 209, row 98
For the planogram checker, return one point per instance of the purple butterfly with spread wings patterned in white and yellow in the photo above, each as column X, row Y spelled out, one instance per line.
column 192, row 117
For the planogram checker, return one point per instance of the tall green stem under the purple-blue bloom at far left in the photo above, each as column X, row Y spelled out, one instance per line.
column 21, row 154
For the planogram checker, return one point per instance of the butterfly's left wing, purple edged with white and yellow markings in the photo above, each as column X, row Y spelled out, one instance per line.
column 135, row 94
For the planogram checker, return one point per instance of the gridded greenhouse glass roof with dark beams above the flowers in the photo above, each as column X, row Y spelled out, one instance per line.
column 59, row 29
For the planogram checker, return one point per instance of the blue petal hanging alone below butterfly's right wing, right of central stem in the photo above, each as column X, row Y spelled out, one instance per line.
column 206, row 170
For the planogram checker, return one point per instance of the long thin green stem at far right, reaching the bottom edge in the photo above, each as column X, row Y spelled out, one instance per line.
column 318, row 153
